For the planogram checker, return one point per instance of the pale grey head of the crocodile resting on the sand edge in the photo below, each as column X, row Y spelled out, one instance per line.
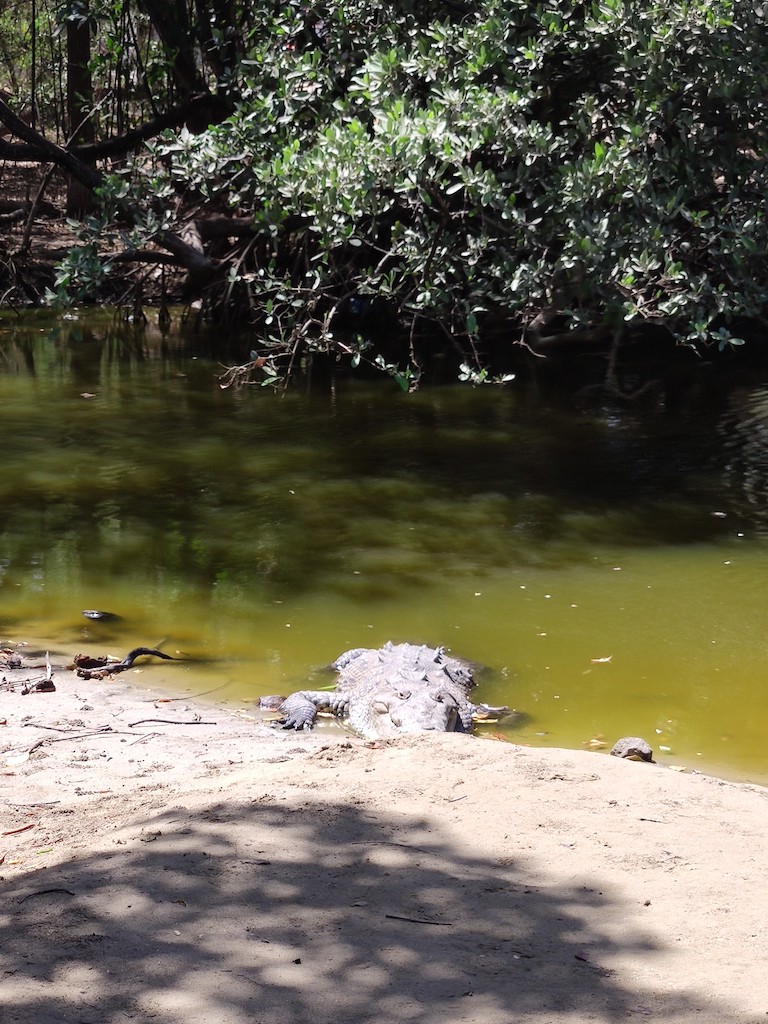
column 394, row 712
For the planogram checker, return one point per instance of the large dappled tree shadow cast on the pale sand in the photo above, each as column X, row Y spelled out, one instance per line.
column 257, row 913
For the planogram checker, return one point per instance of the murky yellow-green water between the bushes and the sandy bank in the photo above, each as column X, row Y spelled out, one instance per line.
column 609, row 569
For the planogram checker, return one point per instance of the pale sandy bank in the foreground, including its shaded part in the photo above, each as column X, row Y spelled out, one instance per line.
column 224, row 873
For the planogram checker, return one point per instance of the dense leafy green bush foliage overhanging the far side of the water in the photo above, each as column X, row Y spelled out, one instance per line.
column 476, row 174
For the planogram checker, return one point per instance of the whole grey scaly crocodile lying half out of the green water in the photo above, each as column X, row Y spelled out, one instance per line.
column 395, row 690
